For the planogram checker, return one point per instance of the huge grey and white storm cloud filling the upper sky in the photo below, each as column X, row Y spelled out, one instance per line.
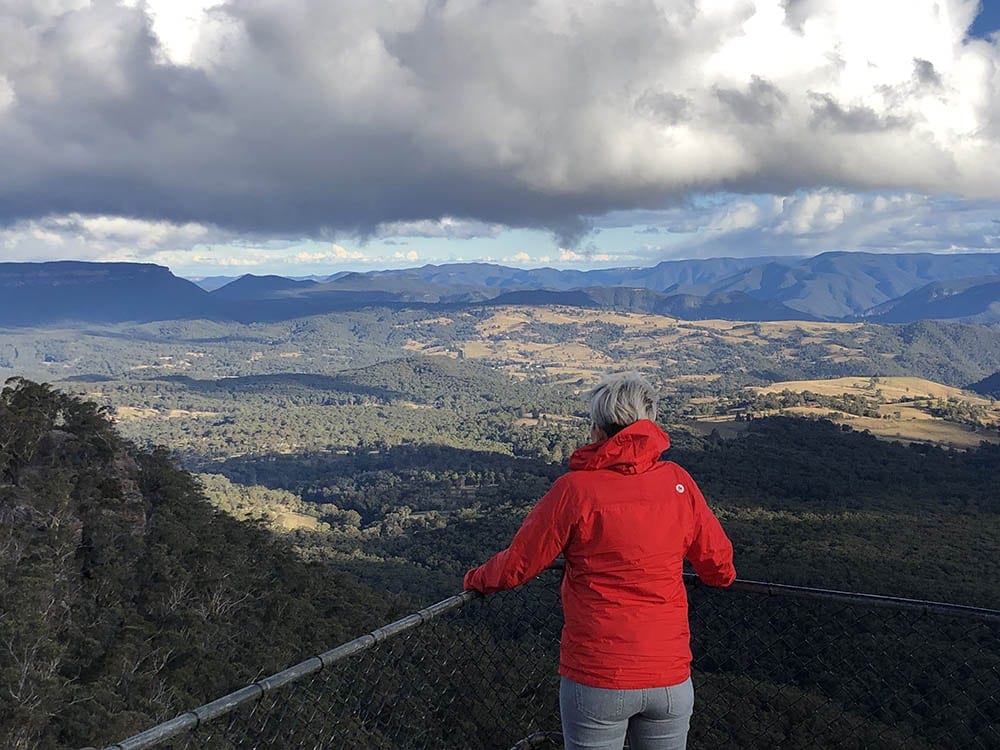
column 317, row 118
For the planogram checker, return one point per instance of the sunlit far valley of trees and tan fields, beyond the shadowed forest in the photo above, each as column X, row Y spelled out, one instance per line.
column 200, row 386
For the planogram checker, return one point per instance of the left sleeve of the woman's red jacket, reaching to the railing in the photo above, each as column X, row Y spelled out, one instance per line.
column 538, row 542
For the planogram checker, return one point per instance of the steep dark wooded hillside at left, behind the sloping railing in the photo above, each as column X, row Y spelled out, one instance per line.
column 126, row 597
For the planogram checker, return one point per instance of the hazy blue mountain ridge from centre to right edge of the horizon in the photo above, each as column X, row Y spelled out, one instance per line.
column 831, row 286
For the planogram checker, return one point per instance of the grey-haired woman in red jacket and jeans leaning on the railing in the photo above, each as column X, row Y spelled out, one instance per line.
column 625, row 521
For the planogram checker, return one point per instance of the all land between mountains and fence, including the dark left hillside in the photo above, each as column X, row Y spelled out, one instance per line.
column 389, row 449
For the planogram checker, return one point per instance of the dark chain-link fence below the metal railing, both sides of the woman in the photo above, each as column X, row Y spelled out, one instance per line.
column 775, row 666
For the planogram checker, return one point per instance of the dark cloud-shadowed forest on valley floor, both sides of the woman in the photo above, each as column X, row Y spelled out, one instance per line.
column 806, row 502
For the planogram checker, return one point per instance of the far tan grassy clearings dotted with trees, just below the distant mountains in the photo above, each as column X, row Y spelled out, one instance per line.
column 569, row 344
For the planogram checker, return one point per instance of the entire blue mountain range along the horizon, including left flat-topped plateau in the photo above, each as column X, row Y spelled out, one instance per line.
column 836, row 286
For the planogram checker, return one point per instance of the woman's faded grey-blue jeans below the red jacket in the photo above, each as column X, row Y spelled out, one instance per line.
column 599, row 718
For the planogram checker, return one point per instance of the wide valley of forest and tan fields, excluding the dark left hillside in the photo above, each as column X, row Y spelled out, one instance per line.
column 363, row 435
